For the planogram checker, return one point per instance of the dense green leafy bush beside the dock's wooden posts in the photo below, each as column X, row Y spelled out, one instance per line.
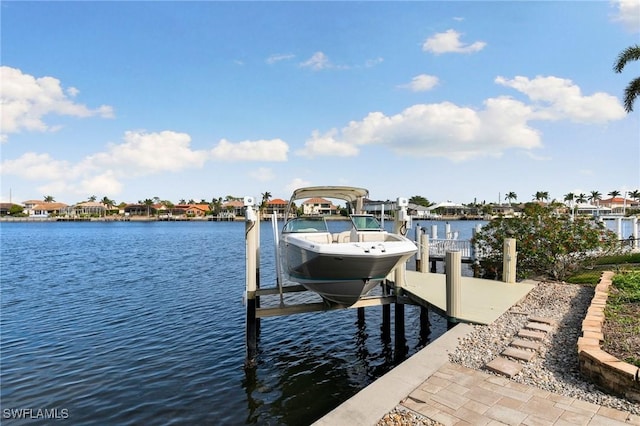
column 549, row 243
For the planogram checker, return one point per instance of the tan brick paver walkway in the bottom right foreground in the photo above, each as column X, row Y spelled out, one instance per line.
column 456, row 395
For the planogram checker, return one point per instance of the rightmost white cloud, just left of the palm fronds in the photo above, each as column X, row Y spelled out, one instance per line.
column 559, row 99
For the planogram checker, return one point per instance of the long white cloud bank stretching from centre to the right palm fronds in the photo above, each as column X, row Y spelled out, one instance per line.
column 462, row 133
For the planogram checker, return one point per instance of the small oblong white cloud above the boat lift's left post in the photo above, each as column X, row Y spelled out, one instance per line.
column 261, row 150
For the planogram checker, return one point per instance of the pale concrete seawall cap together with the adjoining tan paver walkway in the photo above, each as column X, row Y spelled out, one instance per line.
column 451, row 394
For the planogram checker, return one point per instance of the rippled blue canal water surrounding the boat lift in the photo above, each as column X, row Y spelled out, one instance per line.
column 143, row 323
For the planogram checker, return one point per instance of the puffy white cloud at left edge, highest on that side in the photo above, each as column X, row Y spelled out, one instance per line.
column 26, row 100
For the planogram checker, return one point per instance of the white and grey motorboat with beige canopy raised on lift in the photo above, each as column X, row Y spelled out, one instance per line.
column 340, row 266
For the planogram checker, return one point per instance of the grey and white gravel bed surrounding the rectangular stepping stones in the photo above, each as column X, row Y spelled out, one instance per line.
column 554, row 368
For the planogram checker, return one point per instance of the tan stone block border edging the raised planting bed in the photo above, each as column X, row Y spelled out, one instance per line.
column 597, row 365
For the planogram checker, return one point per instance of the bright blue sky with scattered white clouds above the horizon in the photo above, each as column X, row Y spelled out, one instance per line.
column 457, row 101
